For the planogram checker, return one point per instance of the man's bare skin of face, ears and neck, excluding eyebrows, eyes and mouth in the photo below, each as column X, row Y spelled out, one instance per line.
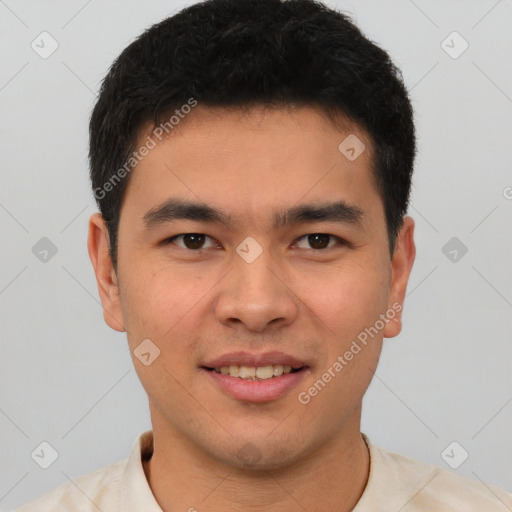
column 307, row 302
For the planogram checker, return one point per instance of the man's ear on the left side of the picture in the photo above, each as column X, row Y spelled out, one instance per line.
column 108, row 286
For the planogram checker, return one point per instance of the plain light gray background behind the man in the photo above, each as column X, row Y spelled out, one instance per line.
column 67, row 379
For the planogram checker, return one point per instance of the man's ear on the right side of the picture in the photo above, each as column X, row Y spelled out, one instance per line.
column 401, row 266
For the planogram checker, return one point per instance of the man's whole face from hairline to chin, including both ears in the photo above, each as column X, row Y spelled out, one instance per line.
column 248, row 239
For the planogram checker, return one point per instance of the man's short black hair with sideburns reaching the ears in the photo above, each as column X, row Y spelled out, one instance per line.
column 243, row 53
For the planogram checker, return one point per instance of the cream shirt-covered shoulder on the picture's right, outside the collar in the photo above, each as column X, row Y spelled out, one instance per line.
column 428, row 488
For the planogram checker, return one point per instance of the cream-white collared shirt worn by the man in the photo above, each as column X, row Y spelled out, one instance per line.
column 395, row 483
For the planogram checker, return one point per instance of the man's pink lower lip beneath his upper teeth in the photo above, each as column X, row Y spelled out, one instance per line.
column 257, row 390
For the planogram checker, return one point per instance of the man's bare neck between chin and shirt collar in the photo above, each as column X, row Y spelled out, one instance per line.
column 332, row 478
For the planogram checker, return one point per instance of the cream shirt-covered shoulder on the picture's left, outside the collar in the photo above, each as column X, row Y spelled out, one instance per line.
column 98, row 490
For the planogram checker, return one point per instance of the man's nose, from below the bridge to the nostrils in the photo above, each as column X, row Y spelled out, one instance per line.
column 257, row 296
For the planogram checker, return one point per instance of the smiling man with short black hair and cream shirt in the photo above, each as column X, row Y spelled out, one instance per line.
column 252, row 163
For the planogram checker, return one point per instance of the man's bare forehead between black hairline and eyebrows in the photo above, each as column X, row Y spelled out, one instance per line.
column 252, row 161
